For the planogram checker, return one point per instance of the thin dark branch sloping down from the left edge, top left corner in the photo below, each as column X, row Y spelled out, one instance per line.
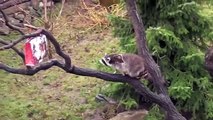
column 7, row 22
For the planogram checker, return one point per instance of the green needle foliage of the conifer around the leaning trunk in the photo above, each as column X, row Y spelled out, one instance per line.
column 178, row 33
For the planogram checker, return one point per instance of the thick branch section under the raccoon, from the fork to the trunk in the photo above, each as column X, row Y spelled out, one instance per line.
column 120, row 78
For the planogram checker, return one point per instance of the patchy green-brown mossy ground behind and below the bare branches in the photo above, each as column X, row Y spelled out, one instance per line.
column 54, row 94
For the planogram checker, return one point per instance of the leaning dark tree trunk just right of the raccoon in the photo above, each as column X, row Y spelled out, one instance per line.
column 157, row 78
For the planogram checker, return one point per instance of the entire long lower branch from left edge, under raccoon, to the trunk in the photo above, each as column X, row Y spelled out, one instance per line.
column 91, row 73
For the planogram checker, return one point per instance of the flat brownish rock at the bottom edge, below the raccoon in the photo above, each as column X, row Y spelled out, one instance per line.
column 131, row 115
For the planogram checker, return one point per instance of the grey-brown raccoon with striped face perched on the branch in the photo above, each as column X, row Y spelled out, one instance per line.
column 127, row 64
